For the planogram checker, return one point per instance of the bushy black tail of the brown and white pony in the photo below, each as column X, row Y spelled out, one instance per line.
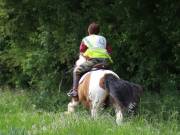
column 123, row 92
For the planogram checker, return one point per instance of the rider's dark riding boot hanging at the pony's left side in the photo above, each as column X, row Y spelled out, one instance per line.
column 73, row 92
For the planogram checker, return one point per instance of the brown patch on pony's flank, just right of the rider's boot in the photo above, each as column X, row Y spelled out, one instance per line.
column 83, row 90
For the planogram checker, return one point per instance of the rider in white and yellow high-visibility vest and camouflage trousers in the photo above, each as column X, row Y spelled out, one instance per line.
column 96, row 50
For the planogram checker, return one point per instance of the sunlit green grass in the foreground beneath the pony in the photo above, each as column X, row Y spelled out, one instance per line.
column 19, row 116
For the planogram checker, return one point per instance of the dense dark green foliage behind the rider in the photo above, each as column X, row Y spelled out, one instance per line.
column 40, row 39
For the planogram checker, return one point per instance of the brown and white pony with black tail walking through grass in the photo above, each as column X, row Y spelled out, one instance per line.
column 104, row 87
